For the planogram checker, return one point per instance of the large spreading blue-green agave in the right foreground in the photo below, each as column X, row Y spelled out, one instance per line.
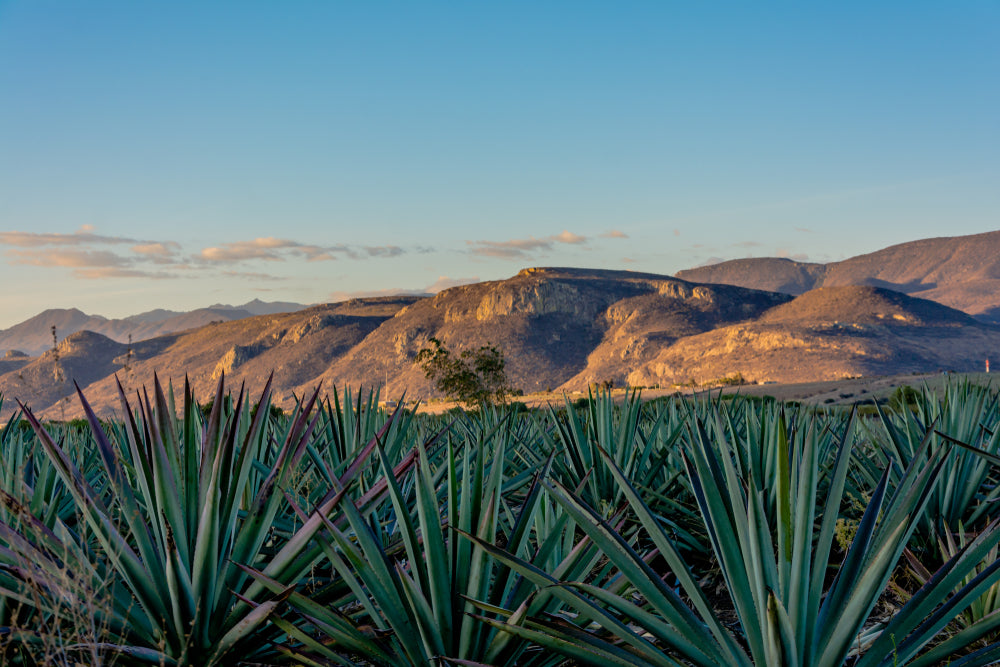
column 774, row 565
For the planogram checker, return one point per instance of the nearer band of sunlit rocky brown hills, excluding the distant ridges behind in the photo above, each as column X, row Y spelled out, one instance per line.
column 559, row 328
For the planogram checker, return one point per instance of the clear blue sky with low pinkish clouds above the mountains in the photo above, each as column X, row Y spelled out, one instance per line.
column 181, row 154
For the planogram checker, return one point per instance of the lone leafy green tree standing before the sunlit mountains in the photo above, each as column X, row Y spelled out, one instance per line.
column 474, row 377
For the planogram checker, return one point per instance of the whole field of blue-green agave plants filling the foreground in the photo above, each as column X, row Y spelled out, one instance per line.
column 673, row 532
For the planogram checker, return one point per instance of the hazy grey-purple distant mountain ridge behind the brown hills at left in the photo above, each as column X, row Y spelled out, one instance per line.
column 34, row 336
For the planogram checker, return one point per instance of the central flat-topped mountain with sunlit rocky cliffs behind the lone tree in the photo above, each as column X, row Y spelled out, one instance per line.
column 553, row 324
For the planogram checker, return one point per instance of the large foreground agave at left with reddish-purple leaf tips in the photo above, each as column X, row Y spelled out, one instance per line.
column 186, row 504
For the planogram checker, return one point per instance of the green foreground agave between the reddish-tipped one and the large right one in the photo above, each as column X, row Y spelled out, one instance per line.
column 414, row 584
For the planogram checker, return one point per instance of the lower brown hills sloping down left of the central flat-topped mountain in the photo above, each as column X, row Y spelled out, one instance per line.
column 297, row 347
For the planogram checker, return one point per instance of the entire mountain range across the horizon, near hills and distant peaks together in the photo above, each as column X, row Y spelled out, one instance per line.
column 560, row 328
